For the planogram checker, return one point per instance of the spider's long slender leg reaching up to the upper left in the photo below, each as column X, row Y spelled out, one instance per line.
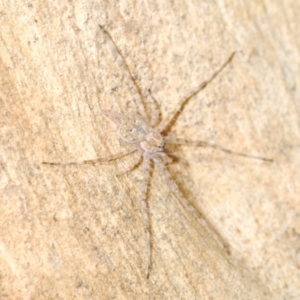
column 138, row 95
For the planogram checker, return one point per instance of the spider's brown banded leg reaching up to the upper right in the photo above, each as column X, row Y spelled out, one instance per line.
column 174, row 113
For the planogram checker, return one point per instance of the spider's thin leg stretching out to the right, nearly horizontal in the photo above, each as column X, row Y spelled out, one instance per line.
column 173, row 140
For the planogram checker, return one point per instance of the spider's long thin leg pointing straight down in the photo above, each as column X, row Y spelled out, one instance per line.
column 145, row 212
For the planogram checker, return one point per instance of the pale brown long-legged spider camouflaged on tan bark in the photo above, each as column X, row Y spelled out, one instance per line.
column 141, row 135
